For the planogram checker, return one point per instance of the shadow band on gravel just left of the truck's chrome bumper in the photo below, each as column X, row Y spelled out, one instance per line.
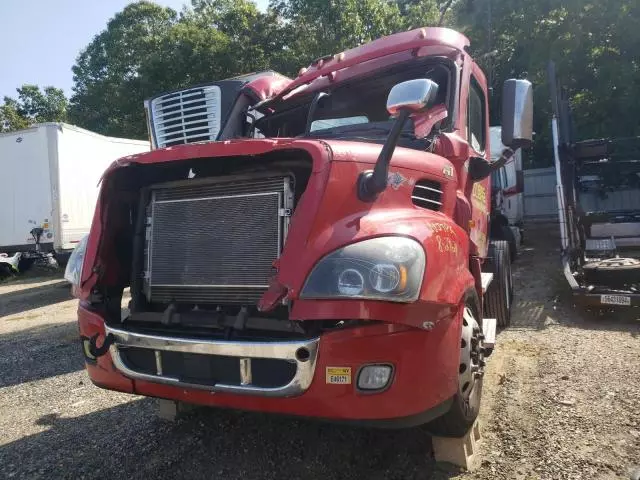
column 39, row 352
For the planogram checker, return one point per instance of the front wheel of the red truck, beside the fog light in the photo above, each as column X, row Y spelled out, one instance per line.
column 466, row 402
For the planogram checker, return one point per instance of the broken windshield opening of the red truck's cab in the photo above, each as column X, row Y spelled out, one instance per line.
column 357, row 108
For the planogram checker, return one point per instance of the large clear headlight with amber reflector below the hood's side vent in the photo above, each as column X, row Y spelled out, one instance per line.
column 384, row 268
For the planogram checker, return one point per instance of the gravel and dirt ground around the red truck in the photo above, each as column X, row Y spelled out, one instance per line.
column 561, row 401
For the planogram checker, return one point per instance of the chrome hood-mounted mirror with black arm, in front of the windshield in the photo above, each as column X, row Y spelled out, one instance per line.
column 405, row 98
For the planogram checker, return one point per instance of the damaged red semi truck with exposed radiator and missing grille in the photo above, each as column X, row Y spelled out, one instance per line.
column 316, row 246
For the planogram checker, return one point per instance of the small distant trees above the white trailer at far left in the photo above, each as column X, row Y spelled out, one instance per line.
column 32, row 106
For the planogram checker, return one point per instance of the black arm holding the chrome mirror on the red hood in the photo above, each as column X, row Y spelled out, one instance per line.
column 371, row 183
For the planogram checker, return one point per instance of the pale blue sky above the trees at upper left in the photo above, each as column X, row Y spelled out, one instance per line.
column 41, row 39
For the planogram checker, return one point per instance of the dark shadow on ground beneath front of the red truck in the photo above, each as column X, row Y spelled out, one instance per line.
column 128, row 441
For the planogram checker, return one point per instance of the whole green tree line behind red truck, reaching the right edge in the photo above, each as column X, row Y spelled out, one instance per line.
column 147, row 49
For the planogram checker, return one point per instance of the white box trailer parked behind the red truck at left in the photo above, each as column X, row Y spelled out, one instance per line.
column 50, row 175
